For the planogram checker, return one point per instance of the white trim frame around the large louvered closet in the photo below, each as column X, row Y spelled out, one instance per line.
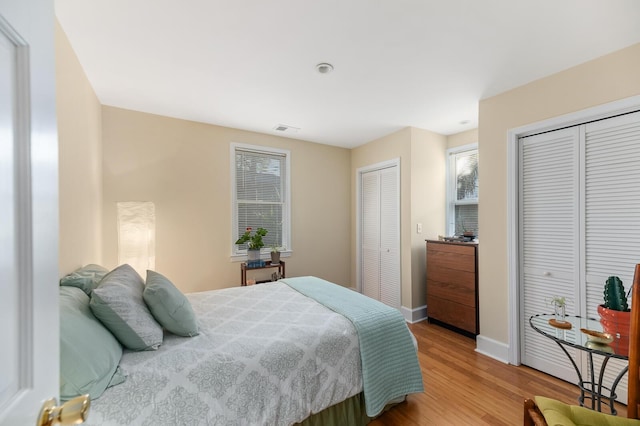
column 599, row 112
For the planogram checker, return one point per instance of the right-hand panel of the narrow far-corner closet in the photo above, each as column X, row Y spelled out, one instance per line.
column 390, row 237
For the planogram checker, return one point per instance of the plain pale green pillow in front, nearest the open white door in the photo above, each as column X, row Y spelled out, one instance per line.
column 89, row 354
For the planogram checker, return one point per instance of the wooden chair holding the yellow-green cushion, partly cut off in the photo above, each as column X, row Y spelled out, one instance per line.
column 534, row 417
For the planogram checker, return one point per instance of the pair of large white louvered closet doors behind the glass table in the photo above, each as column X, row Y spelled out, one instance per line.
column 579, row 216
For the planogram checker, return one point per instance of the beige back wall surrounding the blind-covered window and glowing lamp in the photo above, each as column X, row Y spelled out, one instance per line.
column 184, row 168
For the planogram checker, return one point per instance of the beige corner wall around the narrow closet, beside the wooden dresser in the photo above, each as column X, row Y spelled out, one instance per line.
column 421, row 156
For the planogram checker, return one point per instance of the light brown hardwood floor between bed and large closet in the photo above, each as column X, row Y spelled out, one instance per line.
column 463, row 387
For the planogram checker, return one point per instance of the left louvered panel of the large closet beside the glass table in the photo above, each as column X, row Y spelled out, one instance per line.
column 548, row 240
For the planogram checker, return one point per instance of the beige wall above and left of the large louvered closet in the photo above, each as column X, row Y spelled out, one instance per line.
column 606, row 79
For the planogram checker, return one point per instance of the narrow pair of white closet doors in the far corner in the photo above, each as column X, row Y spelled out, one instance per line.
column 379, row 243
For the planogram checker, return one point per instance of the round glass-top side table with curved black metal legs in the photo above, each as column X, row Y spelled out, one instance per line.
column 573, row 337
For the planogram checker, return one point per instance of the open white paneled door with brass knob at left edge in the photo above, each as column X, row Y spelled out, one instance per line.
column 29, row 360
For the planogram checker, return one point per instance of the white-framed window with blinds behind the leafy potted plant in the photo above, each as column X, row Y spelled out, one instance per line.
column 260, row 179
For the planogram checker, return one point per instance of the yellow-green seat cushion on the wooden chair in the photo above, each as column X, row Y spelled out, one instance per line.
column 557, row 413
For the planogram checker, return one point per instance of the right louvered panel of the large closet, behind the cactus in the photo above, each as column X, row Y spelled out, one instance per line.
column 612, row 212
